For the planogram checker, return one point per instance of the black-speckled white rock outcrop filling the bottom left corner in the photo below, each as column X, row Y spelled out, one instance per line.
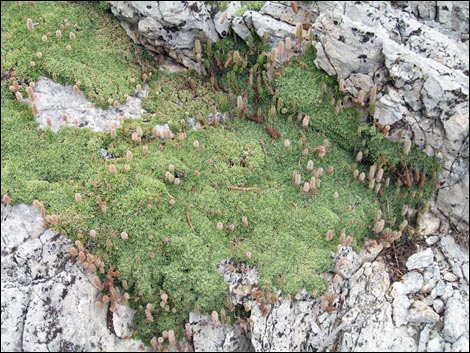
column 47, row 302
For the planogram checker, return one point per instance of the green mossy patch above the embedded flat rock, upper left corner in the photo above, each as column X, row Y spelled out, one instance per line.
column 100, row 57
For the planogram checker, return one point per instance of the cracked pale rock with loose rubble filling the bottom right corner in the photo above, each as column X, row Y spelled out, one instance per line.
column 427, row 310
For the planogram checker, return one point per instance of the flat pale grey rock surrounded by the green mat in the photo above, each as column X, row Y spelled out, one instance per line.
column 54, row 100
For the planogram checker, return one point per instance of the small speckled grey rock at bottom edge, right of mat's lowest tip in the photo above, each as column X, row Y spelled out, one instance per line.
column 217, row 337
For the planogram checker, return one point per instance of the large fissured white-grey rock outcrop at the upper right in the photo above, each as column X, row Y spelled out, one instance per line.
column 422, row 76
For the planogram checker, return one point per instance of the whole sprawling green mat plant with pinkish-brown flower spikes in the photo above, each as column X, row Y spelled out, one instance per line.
column 278, row 186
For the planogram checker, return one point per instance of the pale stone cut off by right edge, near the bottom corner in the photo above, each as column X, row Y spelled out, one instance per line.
column 455, row 319
